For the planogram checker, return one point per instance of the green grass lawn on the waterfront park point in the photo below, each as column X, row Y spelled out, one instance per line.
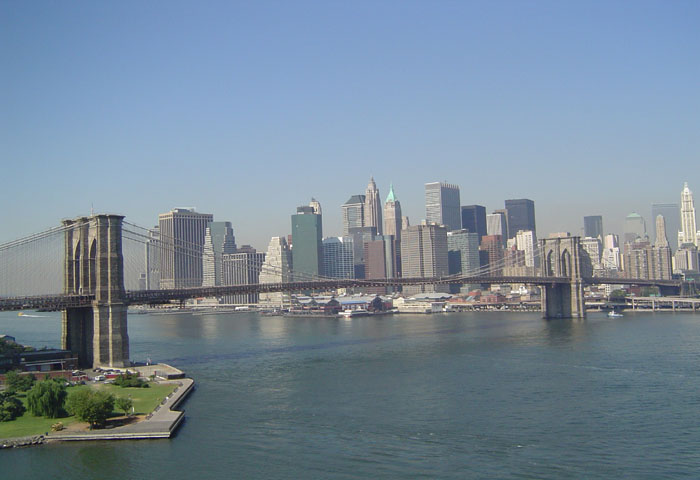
column 145, row 401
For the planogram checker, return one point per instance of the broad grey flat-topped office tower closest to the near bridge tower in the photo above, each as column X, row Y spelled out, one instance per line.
column 182, row 232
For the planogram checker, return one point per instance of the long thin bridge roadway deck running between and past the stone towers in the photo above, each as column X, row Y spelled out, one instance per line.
column 153, row 297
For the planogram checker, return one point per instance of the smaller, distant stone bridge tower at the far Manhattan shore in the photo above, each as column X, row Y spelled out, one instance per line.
column 564, row 258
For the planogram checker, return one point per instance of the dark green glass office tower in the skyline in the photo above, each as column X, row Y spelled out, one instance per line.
column 307, row 246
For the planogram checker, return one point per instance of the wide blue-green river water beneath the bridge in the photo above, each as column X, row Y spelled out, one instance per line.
column 471, row 395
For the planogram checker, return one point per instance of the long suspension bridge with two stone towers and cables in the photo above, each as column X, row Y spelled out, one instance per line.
column 93, row 253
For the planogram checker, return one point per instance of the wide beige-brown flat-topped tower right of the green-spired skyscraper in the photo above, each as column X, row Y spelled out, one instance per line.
column 424, row 254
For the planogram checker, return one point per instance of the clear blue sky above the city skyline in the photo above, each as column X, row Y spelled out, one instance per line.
column 247, row 109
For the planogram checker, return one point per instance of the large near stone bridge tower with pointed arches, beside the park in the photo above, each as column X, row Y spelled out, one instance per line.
column 94, row 265
